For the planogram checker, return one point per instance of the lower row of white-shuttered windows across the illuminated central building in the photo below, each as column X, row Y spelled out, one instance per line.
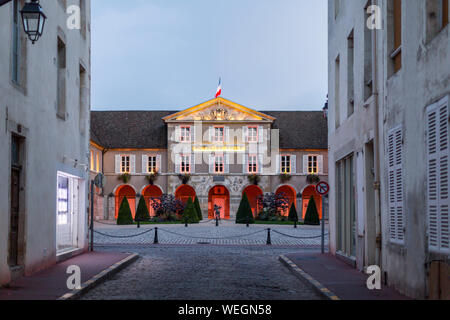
column 218, row 164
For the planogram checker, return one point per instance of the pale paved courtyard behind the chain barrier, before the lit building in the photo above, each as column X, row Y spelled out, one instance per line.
column 228, row 233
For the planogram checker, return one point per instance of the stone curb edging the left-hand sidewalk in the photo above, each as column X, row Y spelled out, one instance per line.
column 99, row 278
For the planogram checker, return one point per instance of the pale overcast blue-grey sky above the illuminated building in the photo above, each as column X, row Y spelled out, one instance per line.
column 169, row 54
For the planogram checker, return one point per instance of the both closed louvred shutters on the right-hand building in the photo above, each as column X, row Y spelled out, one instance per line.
column 438, row 168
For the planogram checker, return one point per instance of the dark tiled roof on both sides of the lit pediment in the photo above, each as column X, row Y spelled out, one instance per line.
column 147, row 130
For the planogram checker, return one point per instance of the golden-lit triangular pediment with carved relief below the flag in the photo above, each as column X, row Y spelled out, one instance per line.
column 219, row 109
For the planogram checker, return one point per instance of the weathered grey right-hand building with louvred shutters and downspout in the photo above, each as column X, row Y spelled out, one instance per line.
column 389, row 88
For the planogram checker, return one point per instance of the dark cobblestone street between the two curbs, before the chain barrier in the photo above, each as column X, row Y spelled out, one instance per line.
column 204, row 273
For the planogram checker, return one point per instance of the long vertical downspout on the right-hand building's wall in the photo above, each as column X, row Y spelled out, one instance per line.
column 377, row 151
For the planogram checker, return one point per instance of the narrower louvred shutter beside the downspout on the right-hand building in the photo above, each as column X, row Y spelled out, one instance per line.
column 396, row 201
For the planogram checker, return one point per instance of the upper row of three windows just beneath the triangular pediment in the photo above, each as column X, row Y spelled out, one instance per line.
column 219, row 134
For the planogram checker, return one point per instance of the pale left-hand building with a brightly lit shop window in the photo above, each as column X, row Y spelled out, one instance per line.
column 44, row 139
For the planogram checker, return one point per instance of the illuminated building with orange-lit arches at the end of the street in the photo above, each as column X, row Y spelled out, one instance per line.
column 218, row 143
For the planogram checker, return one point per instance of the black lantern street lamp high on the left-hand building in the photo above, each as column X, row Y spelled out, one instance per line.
column 33, row 20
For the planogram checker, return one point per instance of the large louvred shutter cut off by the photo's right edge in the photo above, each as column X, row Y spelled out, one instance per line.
column 438, row 156
